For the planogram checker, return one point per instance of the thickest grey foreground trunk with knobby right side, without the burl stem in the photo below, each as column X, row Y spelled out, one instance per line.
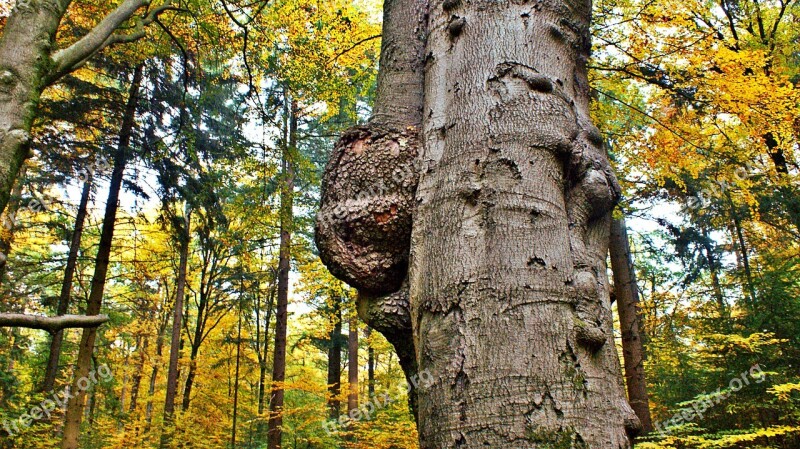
column 508, row 287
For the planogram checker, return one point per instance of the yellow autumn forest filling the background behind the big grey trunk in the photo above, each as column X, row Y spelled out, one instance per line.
column 211, row 133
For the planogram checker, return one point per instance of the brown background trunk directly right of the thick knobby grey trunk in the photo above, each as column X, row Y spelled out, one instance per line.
column 626, row 291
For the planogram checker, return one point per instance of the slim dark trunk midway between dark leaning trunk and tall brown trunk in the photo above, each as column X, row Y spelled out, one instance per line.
column 175, row 344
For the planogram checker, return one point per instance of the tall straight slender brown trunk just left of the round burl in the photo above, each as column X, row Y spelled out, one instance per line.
column 275, row 424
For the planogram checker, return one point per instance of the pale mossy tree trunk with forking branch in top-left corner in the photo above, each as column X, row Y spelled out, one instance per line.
column 29, row 63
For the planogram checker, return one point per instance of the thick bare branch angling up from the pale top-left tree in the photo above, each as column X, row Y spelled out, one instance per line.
column 103, row 35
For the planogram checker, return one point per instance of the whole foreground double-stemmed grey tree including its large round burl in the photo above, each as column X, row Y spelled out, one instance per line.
column 501, row 293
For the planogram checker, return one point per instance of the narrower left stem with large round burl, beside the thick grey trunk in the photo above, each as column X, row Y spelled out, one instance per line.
column 363, row 228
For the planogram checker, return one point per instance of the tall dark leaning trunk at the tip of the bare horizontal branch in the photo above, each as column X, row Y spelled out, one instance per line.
column 95, row 301
